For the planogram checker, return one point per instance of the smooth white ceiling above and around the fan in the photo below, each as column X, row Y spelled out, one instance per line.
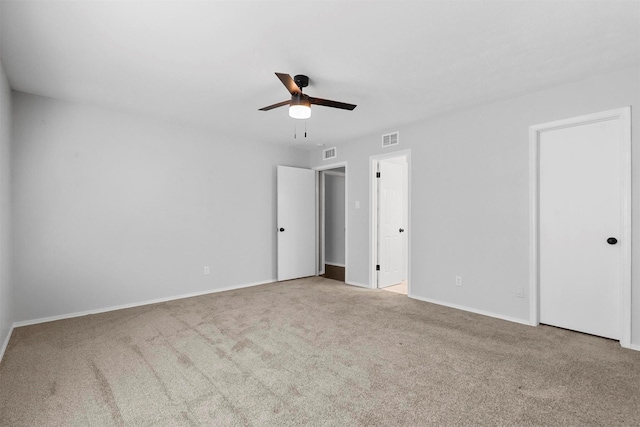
column 211, row 63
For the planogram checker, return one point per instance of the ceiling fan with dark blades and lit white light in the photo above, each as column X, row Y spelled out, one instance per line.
column 300, row 103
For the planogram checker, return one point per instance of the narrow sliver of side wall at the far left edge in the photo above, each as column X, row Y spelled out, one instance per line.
column 6, row 303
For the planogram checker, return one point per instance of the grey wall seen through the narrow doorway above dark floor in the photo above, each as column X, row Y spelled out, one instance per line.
column 334, row 219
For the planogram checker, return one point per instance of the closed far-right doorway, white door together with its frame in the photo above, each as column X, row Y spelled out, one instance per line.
column 581, row 238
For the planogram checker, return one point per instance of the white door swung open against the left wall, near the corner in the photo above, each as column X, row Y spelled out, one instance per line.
column 296, row 223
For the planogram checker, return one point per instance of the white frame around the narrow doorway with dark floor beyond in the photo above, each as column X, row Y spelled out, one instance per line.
column 320, row 219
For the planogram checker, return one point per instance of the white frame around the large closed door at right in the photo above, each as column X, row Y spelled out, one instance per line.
column 624, row 115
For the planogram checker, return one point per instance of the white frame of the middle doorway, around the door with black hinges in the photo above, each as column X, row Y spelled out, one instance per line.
column 373, row 217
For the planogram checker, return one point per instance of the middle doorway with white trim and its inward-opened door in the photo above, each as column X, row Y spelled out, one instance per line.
column 390, row 217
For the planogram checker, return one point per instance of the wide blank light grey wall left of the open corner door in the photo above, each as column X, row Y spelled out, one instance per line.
column 113, row 209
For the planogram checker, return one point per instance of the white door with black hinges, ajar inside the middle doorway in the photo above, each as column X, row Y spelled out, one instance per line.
column 390, row 224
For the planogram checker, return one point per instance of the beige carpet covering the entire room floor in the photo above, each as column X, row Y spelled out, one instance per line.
column 311, row 352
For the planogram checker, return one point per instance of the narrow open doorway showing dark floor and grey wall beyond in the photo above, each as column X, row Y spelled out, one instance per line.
column 332, row 230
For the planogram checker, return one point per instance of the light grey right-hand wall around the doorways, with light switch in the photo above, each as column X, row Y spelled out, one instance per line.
column 470, row 194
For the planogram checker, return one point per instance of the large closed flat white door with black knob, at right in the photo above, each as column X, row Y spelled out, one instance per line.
column 580, row 209
